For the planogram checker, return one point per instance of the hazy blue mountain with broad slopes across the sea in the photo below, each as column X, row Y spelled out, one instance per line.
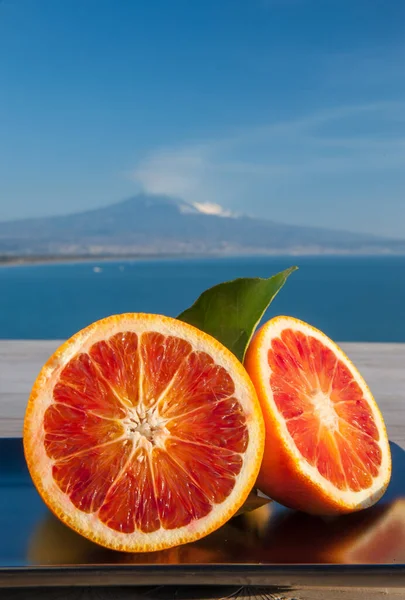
column 158, row 225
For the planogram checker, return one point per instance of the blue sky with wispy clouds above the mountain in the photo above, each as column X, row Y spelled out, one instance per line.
column 293, row 110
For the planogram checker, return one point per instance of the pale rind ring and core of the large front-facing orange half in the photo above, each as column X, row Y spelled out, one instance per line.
column 144, row 429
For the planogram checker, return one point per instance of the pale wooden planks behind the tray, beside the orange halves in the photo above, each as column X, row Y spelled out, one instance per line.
column 382, row 365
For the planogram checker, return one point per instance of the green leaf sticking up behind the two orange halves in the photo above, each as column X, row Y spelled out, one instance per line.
column 231, row 311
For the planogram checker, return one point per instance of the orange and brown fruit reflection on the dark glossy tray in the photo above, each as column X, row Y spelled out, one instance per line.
column 269, row 534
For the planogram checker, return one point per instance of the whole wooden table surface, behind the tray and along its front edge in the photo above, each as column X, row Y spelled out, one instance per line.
column 383, row 367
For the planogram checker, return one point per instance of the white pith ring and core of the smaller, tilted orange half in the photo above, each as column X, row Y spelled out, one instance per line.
column 323, row 407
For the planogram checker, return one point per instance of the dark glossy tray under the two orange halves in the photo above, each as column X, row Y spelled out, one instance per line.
column 269, row 546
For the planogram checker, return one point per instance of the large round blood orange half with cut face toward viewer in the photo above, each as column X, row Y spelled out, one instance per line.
column 142, row 432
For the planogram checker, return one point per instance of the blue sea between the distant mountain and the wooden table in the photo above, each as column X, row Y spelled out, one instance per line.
column 350, row 299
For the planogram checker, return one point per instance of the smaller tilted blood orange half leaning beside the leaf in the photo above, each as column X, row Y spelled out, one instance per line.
column 326, row 448
